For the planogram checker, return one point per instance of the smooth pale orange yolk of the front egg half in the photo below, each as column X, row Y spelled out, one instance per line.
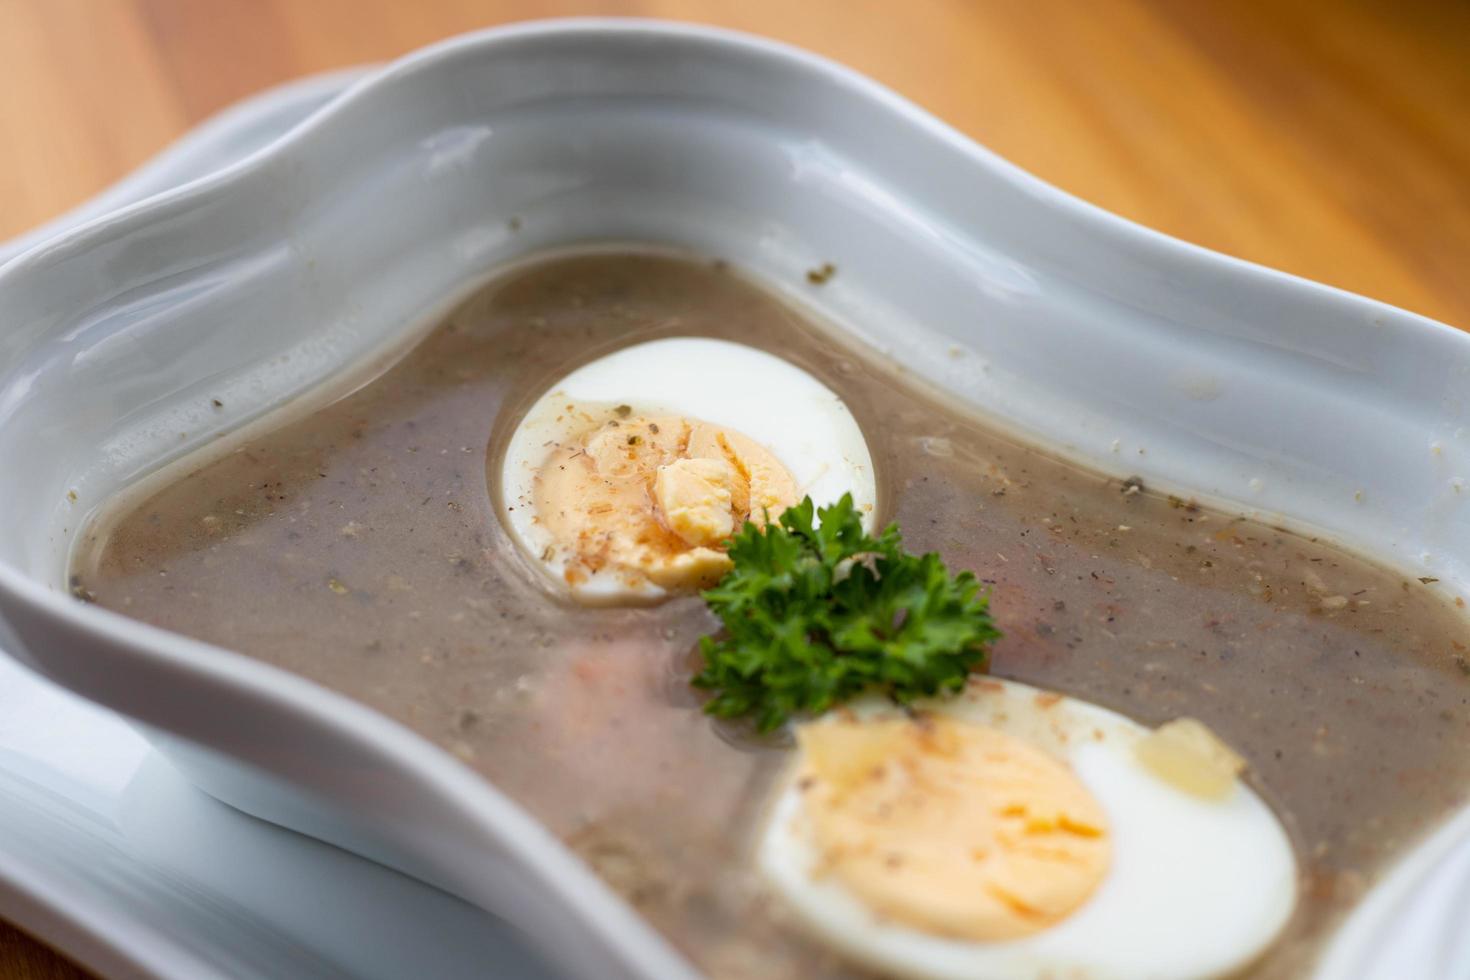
column 949, row 826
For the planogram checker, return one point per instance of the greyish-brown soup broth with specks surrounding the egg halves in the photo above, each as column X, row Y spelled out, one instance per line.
column 359, row 546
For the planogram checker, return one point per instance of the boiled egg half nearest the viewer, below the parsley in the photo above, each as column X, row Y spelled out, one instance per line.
column 1011, row 834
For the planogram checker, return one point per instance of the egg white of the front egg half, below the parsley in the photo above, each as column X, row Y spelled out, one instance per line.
column 1197, row 888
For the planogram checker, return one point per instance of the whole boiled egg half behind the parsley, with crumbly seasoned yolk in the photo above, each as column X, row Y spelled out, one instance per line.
column 627, row 477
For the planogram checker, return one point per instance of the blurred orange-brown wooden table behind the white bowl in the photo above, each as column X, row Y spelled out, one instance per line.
column 1330, row 139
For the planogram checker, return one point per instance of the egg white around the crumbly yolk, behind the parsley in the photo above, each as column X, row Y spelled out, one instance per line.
column 795, row 417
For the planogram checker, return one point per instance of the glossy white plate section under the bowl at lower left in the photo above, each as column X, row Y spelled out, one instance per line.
column 111, row 856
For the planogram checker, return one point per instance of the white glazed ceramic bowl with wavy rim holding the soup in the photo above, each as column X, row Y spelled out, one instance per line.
column 1125, row 349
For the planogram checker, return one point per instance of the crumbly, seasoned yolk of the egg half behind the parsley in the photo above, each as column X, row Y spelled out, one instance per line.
column 655, row 499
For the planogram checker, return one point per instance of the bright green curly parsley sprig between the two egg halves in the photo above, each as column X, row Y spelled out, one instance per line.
column 818, row 612
